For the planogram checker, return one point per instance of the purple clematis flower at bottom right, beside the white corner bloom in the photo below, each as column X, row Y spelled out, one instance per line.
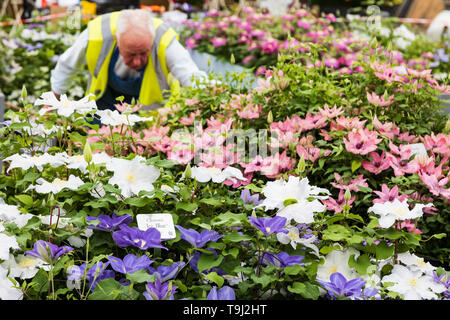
column 339, row 287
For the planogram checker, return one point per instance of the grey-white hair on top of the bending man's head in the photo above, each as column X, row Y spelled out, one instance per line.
column 135, row 18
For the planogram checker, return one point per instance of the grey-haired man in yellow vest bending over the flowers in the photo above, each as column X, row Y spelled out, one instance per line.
column 128, row 53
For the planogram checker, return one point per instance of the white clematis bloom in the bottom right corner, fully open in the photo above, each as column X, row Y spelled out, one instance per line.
column 413, row 284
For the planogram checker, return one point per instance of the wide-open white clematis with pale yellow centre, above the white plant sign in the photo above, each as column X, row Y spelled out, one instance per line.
column 132, row 176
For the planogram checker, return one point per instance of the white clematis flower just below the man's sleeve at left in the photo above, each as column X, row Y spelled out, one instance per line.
column 65, row 107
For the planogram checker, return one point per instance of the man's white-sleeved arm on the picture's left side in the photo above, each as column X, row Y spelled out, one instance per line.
column 68, row 63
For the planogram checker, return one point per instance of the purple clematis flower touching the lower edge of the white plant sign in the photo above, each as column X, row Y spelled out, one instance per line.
column 133, row 236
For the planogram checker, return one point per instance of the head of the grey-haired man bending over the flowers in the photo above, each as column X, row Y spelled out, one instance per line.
column 134, row 35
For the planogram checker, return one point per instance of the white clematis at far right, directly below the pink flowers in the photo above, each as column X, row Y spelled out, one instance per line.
column 392, row 211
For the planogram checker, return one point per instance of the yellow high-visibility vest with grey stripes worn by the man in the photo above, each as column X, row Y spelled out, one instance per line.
column 101, row 46
